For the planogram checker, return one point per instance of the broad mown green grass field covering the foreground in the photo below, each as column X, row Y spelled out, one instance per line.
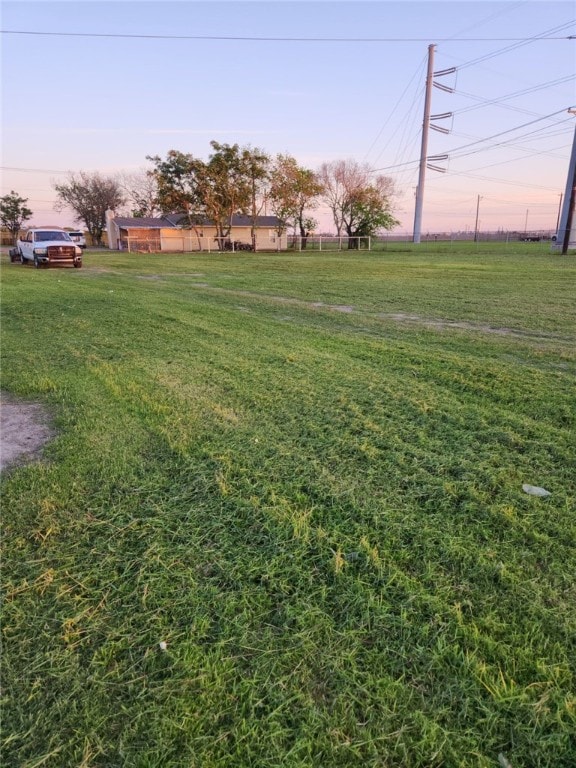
column 303, row 472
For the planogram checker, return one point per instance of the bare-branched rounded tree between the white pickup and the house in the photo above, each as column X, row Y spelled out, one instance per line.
column 90, row 195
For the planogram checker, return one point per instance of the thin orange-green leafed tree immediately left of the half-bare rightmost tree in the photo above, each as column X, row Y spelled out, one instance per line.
column 293, row 192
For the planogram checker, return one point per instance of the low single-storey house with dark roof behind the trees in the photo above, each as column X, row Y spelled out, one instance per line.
column 170, row 233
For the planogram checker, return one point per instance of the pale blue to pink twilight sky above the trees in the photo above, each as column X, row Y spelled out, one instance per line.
column 115, row 82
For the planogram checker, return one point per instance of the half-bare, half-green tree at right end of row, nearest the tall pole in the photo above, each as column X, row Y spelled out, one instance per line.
column 360, row 202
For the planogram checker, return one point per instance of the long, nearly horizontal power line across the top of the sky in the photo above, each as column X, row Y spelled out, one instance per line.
column 243, row 38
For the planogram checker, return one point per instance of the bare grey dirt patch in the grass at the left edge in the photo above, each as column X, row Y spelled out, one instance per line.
column 24, row 430
